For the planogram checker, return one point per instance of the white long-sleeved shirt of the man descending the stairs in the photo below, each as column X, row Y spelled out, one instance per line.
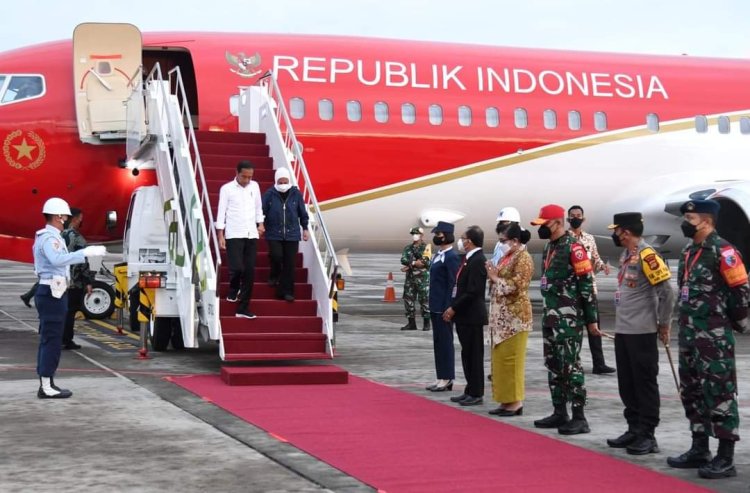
column 240, row 210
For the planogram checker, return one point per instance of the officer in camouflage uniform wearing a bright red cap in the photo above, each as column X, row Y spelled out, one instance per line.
column 569, row 304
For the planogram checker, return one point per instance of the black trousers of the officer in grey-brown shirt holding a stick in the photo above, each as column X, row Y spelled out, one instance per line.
column 637, row 370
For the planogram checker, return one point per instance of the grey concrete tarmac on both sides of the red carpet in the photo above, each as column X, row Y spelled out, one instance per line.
column 127, row 428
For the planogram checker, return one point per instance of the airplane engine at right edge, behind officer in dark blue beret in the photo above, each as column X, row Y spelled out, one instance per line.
column 733, row 224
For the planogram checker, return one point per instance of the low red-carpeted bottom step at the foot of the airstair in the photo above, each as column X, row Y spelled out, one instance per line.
column 284, row 375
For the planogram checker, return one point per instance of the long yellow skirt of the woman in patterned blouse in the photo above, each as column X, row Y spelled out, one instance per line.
column 508, row 367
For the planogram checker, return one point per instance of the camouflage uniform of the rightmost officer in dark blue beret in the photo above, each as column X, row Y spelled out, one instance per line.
column 710, row 277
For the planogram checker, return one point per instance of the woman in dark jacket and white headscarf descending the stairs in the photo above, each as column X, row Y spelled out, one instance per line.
column 285, row 211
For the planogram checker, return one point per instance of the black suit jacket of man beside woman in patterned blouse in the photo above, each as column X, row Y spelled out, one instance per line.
column 469, row 303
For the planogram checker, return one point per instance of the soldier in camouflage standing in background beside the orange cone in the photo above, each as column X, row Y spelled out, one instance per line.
column 416, row 264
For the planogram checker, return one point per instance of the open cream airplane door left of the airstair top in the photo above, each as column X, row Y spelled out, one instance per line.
column 106, row 68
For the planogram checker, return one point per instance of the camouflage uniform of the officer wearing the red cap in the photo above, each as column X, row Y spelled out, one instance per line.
column 569, row 303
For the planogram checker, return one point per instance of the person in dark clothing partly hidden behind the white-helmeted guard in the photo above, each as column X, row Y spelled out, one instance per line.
column 81, row 277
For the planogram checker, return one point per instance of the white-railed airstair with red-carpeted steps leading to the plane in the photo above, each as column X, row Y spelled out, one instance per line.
column 189, row 180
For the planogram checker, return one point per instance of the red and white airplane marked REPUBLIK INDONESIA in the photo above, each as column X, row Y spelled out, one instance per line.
column 395, row 134
